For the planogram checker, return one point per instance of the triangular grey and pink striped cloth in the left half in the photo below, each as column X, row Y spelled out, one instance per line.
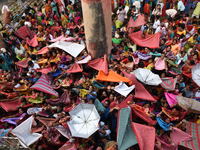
column 43, row 85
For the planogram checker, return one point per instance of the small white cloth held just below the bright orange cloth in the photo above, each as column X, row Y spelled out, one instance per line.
column 123, row 89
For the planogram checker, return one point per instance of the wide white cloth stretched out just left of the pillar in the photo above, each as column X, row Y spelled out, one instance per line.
column 73, row 49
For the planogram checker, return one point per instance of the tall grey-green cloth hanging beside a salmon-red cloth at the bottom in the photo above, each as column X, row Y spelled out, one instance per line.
column 126, row 137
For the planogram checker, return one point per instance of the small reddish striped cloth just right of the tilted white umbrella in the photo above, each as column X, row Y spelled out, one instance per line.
column 168, row 83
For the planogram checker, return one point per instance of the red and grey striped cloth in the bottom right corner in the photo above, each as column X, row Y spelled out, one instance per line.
column 194, row 130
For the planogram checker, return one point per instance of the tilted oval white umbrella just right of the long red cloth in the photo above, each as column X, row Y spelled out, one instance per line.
column 147, row 77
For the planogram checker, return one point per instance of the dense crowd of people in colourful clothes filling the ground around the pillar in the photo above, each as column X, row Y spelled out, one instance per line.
column 27, row 58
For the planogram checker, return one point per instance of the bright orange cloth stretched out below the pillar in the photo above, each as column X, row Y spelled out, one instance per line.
column 112, row 77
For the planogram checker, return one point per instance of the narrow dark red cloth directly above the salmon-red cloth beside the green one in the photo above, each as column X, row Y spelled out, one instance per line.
column 138, row 111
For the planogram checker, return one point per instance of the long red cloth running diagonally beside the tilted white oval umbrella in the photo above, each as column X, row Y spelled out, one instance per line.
column 140, row 90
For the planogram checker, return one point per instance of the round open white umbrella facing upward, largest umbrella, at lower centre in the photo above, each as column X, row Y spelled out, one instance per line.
column 85, row 119
